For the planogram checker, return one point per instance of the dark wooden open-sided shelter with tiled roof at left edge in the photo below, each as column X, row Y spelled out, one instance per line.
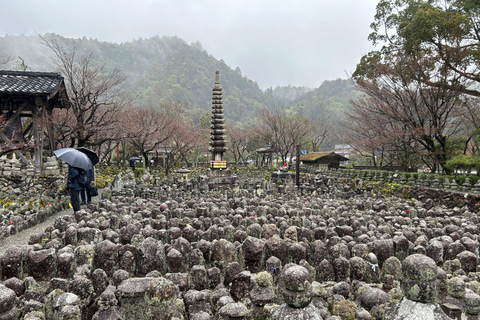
column 31, row 95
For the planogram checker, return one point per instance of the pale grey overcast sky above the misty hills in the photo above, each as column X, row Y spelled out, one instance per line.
column 273, row 42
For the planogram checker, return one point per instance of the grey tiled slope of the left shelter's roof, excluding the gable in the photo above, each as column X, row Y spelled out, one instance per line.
column 21, row 82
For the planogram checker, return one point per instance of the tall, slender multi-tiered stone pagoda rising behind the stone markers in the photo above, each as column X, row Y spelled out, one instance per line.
column 218, row 176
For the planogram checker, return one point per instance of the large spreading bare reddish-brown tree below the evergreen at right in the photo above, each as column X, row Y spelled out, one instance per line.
column 401, row 108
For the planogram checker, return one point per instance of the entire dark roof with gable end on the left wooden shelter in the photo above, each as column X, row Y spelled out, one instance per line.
column 19, row 86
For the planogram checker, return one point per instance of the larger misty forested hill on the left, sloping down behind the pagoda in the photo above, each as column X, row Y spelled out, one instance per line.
column 156, row 70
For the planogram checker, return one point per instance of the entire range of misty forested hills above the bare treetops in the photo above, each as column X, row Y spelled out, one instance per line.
column 164, row 68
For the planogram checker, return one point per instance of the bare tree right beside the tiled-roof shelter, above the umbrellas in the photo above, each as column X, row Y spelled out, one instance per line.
column 94, row 92
